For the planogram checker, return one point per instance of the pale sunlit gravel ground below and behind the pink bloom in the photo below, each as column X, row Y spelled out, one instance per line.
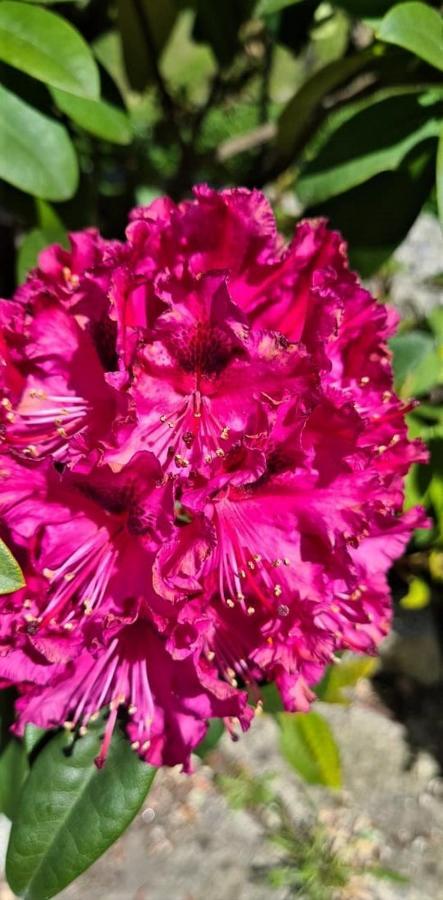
column 187, row 844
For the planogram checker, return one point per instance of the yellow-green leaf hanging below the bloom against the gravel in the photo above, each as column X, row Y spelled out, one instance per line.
column 308, row 744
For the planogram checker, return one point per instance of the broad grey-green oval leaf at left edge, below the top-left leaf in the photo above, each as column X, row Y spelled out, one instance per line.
column 36, row 154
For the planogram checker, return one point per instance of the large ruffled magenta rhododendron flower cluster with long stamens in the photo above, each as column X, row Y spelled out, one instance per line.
column 201, row 471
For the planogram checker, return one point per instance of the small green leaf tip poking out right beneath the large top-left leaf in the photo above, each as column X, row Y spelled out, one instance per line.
column 96, row 116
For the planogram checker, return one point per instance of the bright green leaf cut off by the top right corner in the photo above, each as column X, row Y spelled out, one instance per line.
column 415, row 27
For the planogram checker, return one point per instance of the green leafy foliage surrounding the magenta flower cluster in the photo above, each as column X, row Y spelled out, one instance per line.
column 336, row 108
